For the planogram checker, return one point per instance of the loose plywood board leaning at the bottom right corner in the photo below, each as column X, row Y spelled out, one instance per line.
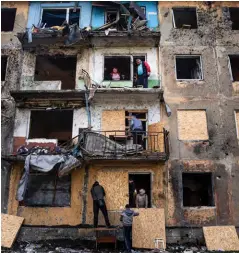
column 221, row 238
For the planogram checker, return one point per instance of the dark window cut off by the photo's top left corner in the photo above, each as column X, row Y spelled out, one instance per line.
column 8, row 19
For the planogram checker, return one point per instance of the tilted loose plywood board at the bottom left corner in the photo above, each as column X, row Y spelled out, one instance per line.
column 10, row 227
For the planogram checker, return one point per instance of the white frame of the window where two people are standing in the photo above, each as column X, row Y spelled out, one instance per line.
column 131, row 65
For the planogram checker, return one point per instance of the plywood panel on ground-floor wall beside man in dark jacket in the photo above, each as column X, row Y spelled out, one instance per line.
column 116, row 187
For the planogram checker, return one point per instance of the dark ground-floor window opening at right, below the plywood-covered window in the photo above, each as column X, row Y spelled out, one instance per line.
column 197, row 189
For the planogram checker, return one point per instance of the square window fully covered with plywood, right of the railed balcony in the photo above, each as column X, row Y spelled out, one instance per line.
column 192, row 125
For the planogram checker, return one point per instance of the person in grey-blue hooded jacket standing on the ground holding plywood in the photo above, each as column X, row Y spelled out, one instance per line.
column 127, row 219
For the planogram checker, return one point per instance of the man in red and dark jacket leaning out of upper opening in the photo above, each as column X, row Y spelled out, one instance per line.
column 143, row 72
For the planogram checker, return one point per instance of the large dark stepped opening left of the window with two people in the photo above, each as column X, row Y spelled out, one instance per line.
column 53, row 68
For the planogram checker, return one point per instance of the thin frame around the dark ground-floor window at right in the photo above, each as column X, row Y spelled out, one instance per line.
column 212, row 189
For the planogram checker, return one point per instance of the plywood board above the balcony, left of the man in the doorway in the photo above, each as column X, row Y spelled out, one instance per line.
column 113, row 120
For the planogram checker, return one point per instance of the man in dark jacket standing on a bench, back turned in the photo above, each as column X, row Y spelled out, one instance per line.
column 98, row 194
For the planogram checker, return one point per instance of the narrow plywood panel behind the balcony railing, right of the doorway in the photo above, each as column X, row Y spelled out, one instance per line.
column 156, row 139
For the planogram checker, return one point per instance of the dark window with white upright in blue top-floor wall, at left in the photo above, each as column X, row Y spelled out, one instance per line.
column 56, row 17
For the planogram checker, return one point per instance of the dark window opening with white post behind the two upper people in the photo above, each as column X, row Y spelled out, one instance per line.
column 126, row 66
